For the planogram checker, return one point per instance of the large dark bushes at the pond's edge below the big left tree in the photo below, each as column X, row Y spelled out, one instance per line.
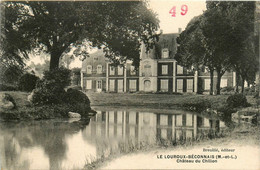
column 50, row 90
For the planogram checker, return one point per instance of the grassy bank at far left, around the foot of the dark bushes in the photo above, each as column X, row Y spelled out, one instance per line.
column 26, row 111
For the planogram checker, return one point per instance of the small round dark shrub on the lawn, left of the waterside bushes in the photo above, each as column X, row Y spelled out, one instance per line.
column 27, row 82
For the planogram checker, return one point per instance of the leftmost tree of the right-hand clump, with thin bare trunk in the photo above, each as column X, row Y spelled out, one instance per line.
column 193, row 49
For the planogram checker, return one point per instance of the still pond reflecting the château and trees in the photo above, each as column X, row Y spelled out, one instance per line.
column 73, row 143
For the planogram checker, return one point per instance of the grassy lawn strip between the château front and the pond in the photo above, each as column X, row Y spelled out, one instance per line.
column 158, row 100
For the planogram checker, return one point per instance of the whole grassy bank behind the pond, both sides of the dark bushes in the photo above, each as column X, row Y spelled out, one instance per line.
column 24, row 110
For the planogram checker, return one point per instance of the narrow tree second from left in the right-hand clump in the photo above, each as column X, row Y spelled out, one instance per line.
column 216, row 30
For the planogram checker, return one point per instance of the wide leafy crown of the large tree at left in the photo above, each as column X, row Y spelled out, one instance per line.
column 57, row 27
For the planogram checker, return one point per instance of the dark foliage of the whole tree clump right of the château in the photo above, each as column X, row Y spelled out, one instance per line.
column 222, row 39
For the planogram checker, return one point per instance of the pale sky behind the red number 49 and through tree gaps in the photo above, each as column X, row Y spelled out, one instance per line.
column 168, row 23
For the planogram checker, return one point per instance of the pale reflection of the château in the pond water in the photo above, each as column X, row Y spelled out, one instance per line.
column 126, row 130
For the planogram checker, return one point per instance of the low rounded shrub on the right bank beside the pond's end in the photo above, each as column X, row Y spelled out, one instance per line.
column 237, row 100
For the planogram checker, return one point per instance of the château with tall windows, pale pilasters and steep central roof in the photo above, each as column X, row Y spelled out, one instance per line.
column 158, row 72
